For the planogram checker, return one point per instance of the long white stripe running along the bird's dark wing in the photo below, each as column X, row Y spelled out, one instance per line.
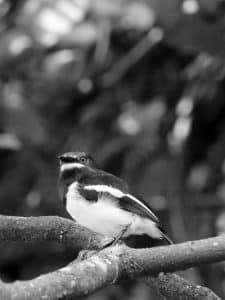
column 119, row 194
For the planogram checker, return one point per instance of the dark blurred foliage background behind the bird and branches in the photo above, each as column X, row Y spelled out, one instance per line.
column 138, row 84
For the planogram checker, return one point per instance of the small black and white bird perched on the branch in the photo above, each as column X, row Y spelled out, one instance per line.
column 102, row 202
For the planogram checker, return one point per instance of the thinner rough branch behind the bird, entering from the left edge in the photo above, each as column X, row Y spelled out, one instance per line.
column 49, row 228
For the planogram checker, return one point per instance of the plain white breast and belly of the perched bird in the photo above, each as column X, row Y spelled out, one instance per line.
column 105, row 217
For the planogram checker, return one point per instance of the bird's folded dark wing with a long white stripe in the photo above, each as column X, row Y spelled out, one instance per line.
column 125, row 200
